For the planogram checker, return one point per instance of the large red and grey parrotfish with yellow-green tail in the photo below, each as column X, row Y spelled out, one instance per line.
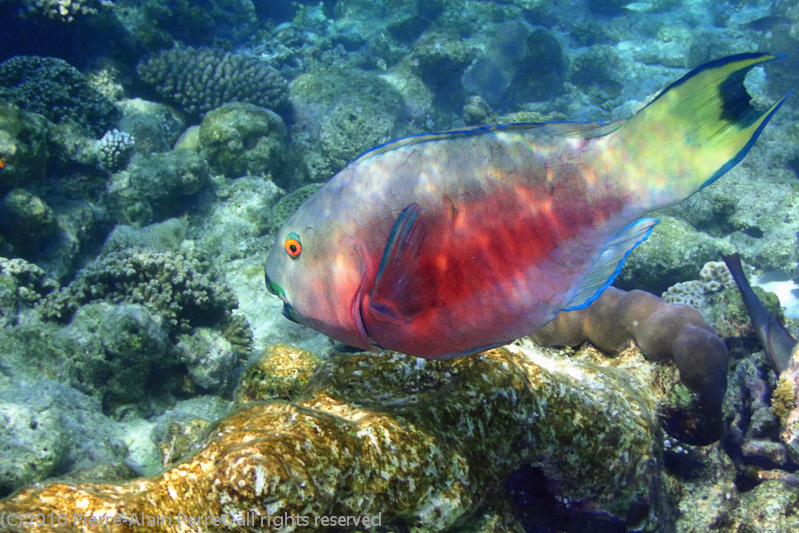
column 446, row 244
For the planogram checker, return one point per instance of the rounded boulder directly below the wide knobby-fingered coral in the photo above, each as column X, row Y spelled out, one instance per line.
column 243, row 139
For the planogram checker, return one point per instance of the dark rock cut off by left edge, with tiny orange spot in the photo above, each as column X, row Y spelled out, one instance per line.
column 23, row 147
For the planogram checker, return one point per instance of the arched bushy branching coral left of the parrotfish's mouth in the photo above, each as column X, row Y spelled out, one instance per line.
column 178, row 286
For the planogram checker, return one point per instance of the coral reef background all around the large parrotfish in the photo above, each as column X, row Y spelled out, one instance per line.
column 149, row 151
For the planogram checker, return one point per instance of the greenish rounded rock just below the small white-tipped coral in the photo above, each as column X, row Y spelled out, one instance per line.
column 156, row 187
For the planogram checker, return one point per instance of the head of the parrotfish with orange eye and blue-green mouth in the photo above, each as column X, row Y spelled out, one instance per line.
column 316, row 267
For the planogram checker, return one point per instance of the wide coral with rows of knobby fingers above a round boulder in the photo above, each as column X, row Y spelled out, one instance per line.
column 199, row 80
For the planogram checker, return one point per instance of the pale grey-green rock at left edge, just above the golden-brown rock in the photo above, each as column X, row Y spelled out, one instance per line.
column 50, row 429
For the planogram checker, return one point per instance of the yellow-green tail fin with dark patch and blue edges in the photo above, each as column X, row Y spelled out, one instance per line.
column 701, row 125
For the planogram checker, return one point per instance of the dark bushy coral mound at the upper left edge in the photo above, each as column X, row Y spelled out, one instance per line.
column 55, row 89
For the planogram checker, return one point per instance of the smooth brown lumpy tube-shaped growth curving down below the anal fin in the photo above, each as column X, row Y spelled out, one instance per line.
column 664, row 332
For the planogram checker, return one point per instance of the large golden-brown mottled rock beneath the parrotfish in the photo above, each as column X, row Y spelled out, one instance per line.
column 417, row 443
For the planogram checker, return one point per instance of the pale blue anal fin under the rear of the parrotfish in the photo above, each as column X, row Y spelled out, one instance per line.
column 608, row 264
